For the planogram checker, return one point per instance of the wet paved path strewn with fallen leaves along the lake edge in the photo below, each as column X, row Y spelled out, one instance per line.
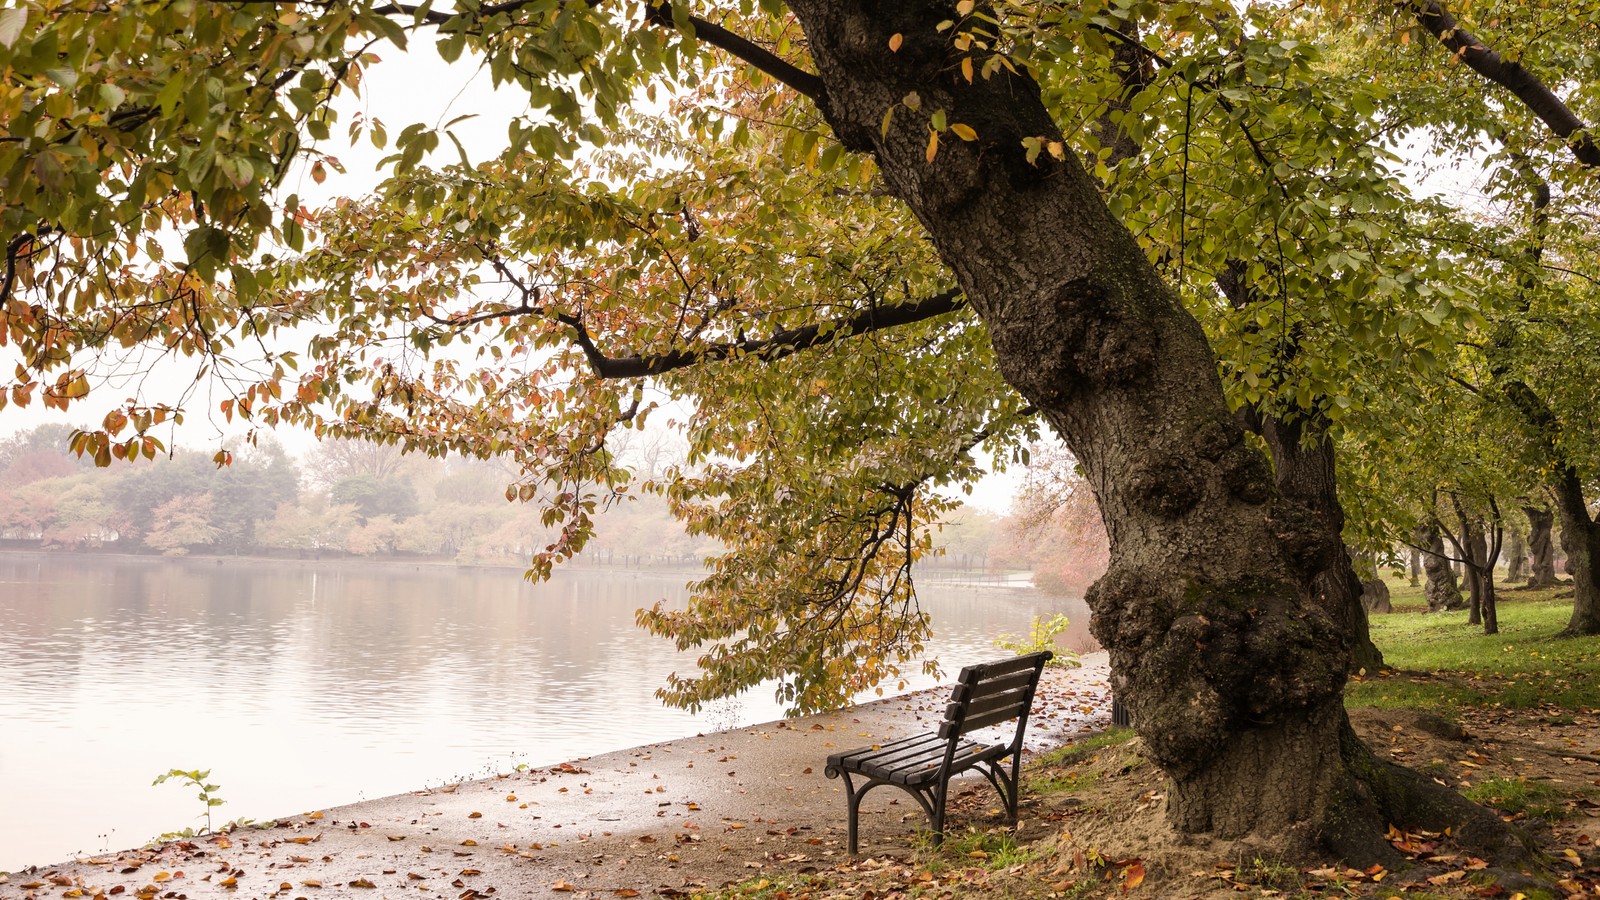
column 668, row 818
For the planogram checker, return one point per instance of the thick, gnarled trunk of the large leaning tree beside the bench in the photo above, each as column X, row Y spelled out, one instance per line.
column 1223, row 637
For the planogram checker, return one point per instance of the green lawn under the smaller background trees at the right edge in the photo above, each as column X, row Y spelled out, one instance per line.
column 1521, row 669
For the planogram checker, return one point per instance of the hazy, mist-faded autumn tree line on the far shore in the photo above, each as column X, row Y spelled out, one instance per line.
column 353, row 500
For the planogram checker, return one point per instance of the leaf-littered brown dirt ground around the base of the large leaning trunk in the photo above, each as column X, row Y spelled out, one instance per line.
column 1095, row 827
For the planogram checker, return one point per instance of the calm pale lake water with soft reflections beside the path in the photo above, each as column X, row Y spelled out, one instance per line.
column 303, row 686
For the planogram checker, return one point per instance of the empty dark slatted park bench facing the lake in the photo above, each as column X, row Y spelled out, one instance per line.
column 924, row 765
